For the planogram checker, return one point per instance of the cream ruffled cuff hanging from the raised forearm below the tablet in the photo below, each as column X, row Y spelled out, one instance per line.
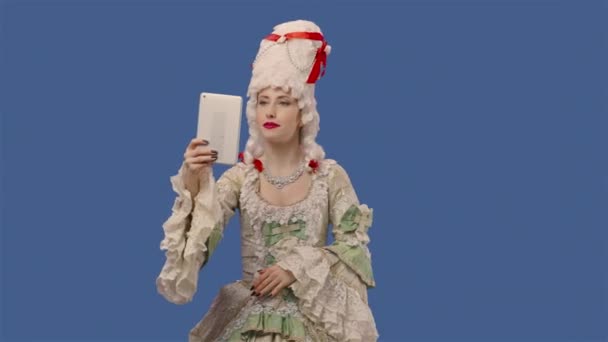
column 186, row 235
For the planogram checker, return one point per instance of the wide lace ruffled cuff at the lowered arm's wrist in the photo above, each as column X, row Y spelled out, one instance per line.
column 325, row 298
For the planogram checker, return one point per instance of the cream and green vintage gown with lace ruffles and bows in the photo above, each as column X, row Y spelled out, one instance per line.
column 328, row 300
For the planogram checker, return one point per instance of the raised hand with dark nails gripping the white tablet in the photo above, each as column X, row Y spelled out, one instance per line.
column 198, row 158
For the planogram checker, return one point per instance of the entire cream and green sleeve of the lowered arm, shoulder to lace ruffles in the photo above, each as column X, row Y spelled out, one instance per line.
column 331, row 281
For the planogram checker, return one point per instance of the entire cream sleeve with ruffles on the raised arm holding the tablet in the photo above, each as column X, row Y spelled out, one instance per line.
column 194, row 229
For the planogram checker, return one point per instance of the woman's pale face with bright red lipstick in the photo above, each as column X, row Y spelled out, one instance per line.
column 278, row 115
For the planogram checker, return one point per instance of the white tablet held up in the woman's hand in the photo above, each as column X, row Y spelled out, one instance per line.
column 219, row 122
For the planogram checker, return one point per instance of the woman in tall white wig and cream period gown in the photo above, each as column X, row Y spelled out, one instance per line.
column 295, row 287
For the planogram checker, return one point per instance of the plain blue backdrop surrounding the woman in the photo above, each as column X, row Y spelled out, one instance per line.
column 475, row 129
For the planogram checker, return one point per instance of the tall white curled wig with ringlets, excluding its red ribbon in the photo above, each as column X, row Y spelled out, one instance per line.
column 286, row 64
